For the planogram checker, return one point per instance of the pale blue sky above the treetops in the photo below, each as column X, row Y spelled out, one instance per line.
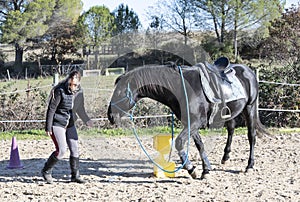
column 139, row 6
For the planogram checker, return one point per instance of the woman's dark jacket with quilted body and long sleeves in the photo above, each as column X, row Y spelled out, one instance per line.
column 63, row 106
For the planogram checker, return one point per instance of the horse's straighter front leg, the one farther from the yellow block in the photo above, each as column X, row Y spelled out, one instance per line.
column 205, row 162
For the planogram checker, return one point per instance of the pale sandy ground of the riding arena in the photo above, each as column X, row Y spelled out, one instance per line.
column 116, row 169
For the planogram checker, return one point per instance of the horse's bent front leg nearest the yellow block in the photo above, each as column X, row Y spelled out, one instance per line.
column 179, row 145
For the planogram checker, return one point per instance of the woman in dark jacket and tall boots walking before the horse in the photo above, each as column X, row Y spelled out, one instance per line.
column 66, row 99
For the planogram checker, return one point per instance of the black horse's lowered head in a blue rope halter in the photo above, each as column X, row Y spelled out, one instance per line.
column 122, row 100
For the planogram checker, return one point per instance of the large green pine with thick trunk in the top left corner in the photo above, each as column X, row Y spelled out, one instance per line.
column 23, row 20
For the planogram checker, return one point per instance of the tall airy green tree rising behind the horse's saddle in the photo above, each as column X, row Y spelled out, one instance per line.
column 238, row 15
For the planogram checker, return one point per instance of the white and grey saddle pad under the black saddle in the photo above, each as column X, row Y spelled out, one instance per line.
column 233, row 91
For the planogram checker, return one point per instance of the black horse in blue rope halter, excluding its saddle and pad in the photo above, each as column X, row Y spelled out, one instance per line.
column 169, row 87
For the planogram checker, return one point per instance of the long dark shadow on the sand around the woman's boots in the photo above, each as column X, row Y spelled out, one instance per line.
column 107, row 170
